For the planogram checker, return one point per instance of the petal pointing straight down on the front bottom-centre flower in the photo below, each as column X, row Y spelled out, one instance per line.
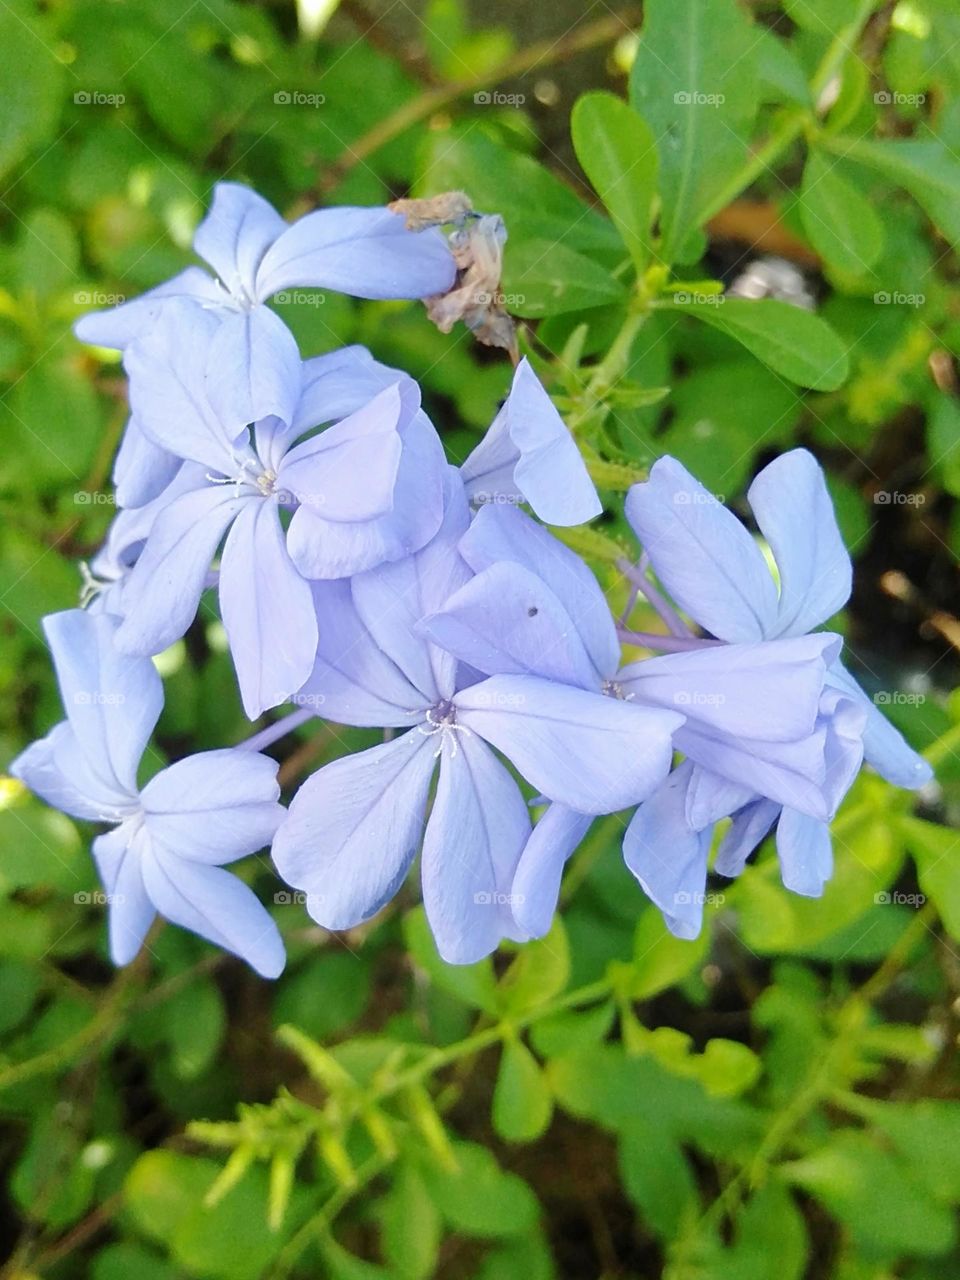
column 477, row 833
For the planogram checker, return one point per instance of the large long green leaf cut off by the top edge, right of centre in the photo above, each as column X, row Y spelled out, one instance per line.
column 696, row 84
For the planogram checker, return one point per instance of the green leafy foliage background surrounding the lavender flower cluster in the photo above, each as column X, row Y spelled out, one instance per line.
column 776, row 1099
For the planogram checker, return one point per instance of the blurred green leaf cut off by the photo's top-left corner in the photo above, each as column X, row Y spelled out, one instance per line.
column 34, row 80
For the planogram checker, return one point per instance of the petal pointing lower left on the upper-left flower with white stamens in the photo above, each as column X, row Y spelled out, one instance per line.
column 162, row 595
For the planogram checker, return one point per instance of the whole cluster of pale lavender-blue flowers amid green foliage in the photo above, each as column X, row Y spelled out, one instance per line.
column 364, row 578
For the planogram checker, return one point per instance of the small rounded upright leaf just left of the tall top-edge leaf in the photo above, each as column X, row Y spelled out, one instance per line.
column 619, row 154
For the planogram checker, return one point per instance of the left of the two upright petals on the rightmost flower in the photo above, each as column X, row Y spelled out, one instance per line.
column 702, row 554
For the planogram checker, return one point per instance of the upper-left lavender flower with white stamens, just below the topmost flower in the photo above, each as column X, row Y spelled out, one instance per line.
column 353, row 497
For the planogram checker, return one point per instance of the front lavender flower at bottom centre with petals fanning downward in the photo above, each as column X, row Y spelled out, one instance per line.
column 354, row 829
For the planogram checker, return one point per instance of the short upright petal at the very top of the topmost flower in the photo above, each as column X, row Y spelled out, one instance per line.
column 236, row 235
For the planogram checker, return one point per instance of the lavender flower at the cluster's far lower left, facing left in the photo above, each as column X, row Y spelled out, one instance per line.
column 173, row 836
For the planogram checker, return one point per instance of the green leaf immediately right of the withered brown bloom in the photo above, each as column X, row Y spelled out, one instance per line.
column 546, row 278
